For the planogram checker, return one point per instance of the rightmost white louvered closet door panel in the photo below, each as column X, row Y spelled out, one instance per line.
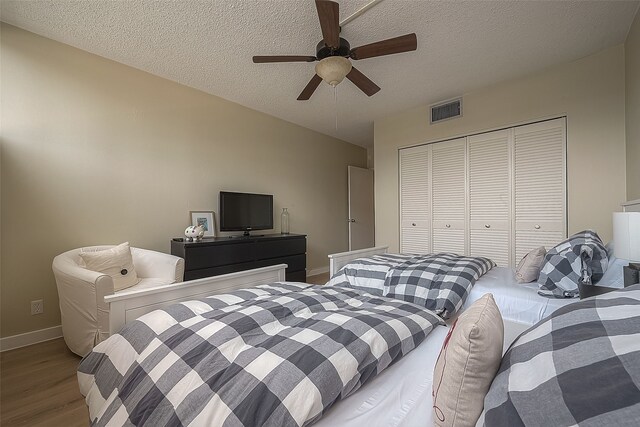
column 540, row 200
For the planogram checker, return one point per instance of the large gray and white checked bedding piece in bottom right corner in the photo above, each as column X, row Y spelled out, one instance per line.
column 579, row 366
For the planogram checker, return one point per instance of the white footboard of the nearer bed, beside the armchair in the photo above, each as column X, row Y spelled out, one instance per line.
column 127, row 306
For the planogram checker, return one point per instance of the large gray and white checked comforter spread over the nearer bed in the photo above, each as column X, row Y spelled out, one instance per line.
column 274, row 355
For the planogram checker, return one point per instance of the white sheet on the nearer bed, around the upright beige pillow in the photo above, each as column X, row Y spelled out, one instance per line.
column 401, row 395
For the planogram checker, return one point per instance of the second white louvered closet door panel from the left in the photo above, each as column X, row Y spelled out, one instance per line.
column 448, row 196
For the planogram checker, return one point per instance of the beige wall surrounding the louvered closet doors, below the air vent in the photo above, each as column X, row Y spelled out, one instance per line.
column 590, row 92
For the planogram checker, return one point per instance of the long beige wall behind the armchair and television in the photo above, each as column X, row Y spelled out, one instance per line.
column 95, row 152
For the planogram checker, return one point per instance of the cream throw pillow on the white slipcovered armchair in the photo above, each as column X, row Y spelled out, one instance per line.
column 115, row 262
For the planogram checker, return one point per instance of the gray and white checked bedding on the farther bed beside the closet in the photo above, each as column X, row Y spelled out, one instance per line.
column 440, row 282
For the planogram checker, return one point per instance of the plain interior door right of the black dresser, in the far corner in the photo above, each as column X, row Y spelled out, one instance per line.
column 361, row 216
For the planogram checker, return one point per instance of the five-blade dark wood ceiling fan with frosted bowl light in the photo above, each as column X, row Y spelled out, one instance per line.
column 334, row 53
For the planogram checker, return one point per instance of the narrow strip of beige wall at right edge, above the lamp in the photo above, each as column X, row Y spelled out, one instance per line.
column 632, row 75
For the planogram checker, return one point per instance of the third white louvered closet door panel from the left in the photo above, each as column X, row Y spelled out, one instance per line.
column 490, row 196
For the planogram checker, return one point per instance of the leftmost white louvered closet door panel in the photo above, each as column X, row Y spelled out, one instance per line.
column 415, row 219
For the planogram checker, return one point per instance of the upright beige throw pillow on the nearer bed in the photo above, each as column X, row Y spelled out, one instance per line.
column 467, row 363
